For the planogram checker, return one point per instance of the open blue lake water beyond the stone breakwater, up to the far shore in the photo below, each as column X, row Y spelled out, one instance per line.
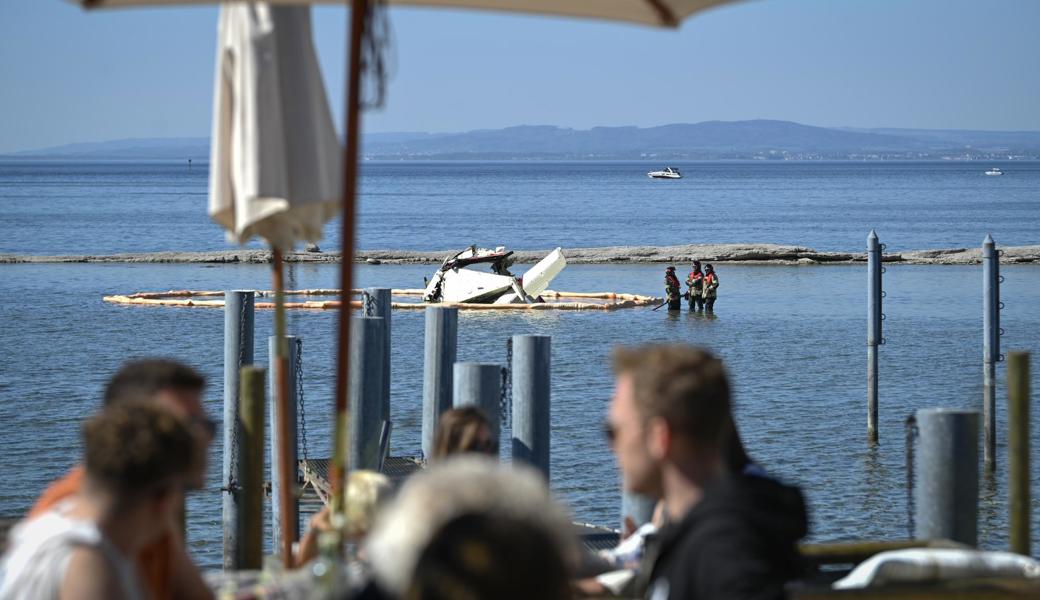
column 160, row 206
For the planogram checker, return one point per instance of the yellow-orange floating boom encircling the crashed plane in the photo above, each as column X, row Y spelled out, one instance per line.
column 199, row 299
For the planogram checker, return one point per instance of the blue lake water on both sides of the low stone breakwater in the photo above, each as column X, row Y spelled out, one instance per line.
column 793, row 336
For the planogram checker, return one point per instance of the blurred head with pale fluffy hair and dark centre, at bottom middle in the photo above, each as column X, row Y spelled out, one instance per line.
column 471, row 529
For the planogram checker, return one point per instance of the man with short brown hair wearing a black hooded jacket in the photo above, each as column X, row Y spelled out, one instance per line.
column 733, row 535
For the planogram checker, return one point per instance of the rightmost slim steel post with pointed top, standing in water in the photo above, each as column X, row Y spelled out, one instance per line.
column 992, row 346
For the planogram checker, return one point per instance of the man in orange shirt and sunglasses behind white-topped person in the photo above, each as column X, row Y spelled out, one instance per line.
column 165, row 566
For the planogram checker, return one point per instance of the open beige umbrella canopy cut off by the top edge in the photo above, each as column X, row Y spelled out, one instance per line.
column 660, row 13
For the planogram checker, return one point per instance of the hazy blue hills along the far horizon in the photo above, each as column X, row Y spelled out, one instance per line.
column 712, row 140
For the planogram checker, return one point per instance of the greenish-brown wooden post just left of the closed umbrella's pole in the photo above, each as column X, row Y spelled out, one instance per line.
column 251, row 469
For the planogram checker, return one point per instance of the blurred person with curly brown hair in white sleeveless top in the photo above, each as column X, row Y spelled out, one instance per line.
column 138, row 459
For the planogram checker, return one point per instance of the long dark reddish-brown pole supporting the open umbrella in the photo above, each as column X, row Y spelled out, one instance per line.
column 339, row 476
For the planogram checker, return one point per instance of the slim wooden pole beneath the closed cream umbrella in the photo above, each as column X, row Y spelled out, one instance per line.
column 287, row 472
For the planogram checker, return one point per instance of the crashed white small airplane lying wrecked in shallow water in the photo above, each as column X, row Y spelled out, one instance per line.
column 456, row 282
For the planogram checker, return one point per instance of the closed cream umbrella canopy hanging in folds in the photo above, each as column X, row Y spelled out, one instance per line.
column 275, row 160
